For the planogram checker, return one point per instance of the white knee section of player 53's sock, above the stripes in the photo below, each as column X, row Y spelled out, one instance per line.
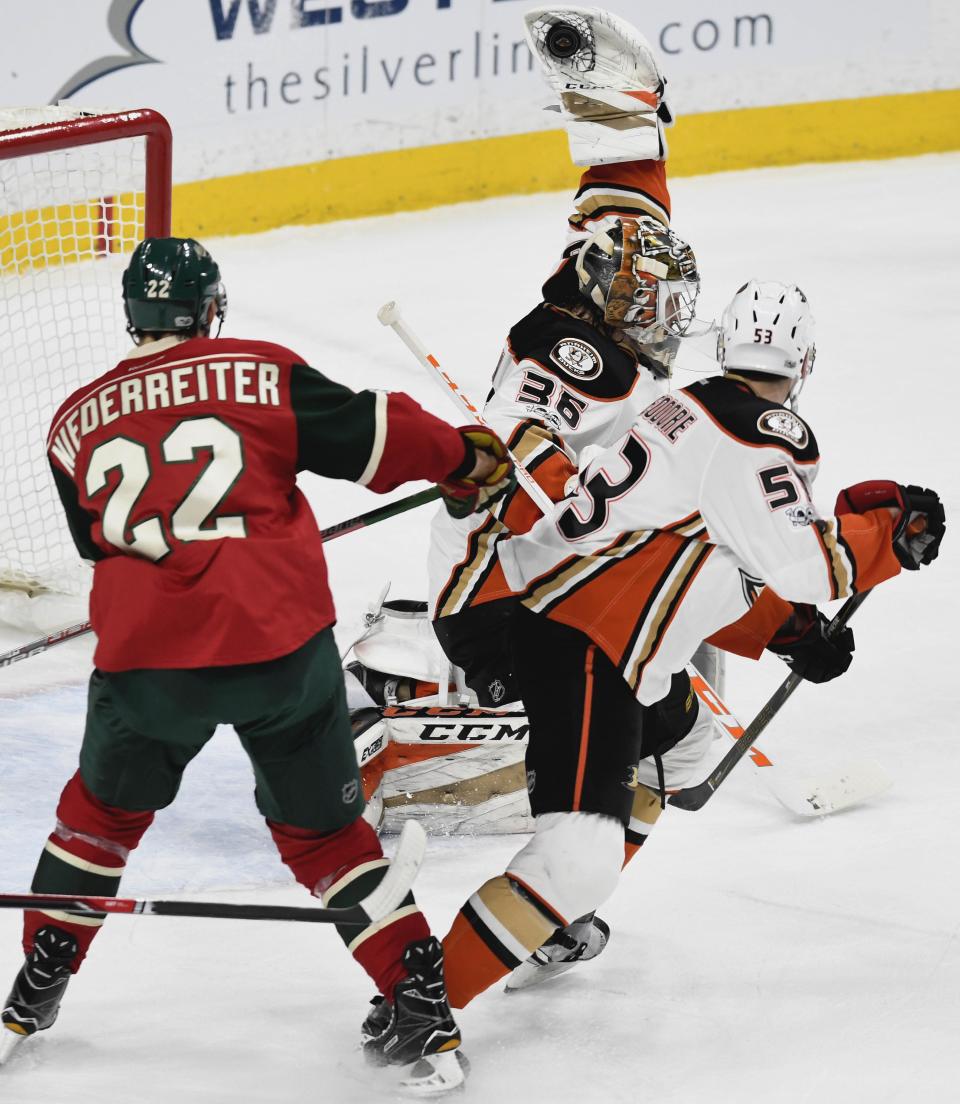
column 572, row 864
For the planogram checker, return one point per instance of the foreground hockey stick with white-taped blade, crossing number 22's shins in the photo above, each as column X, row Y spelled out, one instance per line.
column 386, row 899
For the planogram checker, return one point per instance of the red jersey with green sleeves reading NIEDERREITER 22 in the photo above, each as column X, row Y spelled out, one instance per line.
column 178, row 473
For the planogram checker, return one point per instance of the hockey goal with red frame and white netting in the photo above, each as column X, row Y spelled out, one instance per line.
column 78, row 192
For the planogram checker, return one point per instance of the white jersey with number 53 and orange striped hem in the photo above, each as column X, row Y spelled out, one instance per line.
column 676, row 527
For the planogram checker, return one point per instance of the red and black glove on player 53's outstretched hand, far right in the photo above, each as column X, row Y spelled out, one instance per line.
column 918, row 530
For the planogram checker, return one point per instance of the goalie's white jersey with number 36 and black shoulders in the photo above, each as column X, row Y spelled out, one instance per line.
column 560, row 387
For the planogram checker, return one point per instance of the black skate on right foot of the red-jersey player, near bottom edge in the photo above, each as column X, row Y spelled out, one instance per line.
column 419, row 1027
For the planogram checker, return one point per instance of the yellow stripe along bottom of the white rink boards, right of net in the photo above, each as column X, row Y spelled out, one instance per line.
column 413, row 179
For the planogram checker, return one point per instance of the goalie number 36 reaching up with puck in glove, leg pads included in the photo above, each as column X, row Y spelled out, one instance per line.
column 568, row 383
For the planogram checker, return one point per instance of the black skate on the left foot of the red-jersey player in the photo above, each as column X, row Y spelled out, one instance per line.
column 38, row 990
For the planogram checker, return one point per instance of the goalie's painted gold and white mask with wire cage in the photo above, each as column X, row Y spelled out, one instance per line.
column 644, row 278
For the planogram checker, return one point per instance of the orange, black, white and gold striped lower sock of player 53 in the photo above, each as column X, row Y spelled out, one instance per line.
column 492, row 936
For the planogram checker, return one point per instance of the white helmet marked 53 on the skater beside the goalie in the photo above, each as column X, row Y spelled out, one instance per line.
column 767, row 328
